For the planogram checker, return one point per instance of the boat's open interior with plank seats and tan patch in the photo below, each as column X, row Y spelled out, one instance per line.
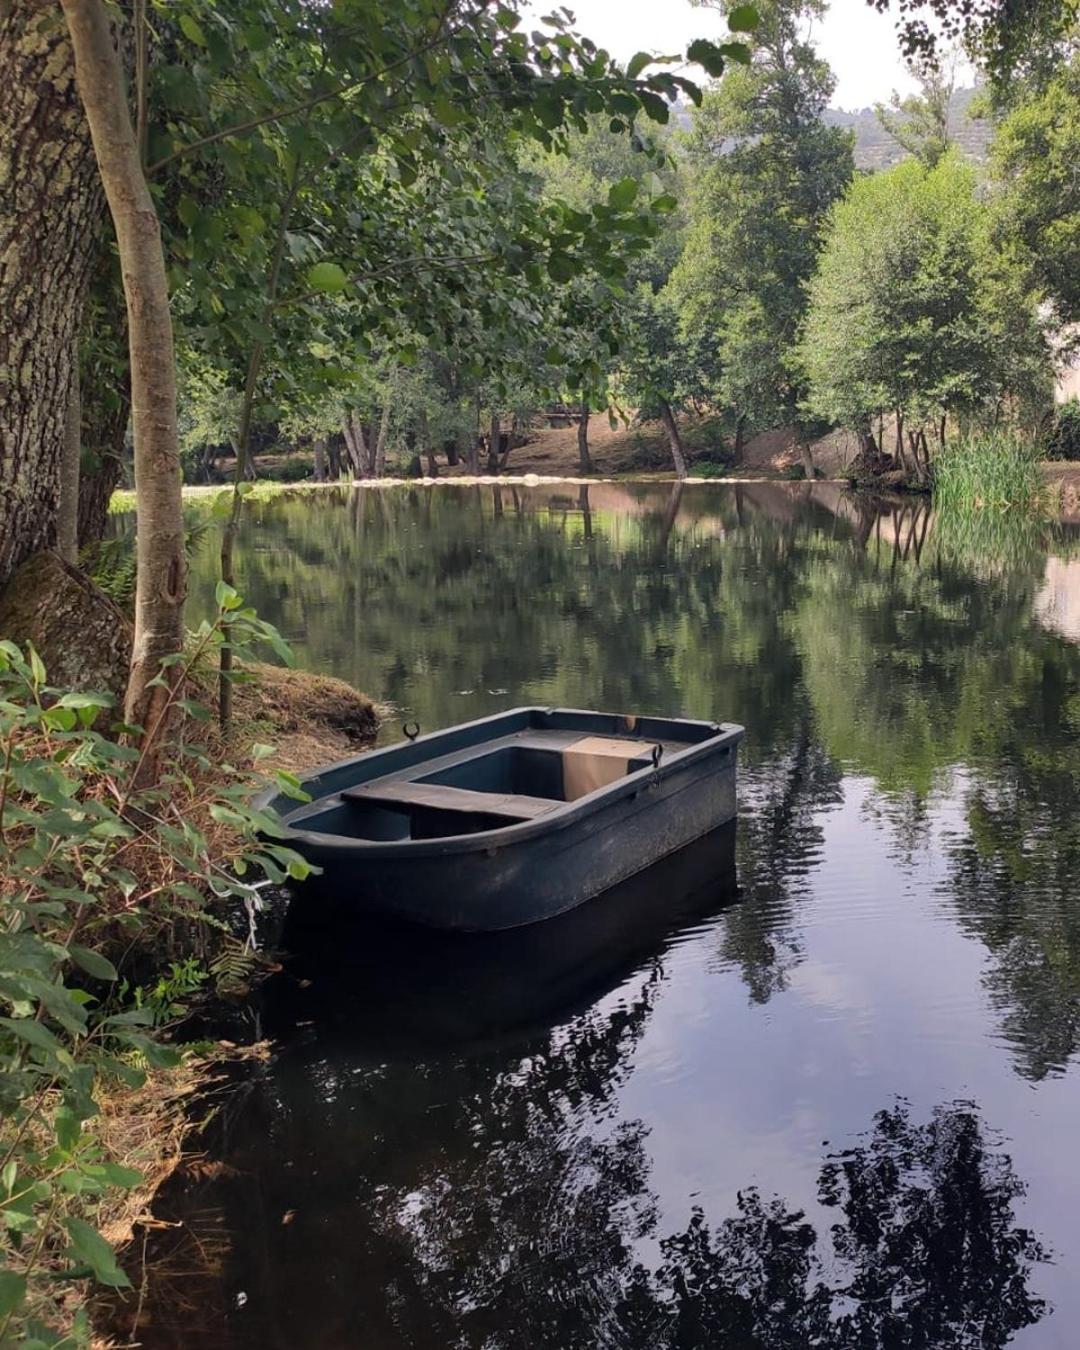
column 495, row 784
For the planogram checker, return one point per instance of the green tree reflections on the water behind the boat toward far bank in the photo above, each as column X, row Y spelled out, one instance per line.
column 840, row 631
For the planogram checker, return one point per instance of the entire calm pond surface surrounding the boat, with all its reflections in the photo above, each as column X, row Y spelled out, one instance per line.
column 817, row 1086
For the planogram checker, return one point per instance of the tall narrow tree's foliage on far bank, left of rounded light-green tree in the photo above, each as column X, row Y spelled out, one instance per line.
column 766, row 171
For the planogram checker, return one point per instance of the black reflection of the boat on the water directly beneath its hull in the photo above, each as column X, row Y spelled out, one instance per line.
column 388, row 988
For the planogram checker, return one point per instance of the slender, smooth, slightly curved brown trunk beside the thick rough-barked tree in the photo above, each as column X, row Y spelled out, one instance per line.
column 160, row 588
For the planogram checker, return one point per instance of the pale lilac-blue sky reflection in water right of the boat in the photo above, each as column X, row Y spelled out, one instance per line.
column 888, row 1001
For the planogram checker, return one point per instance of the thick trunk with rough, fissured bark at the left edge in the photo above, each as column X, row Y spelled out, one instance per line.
column 51, row 213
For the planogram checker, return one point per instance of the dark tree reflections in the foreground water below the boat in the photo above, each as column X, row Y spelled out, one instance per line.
column 500, row 1202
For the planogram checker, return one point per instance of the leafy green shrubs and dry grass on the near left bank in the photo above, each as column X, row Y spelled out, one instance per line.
column 97, row 869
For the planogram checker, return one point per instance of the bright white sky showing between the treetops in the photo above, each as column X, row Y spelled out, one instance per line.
column 858, row 43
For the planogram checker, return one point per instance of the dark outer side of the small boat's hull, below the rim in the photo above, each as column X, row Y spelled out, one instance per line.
column 507, row 878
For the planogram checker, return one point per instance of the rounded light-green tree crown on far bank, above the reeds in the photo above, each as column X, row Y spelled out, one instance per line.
column 913, row 310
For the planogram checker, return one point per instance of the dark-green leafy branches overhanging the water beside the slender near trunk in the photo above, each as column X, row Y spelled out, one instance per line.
column 344, row 183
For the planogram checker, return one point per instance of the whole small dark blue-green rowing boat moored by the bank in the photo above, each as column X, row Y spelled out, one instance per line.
column 512, row 819
